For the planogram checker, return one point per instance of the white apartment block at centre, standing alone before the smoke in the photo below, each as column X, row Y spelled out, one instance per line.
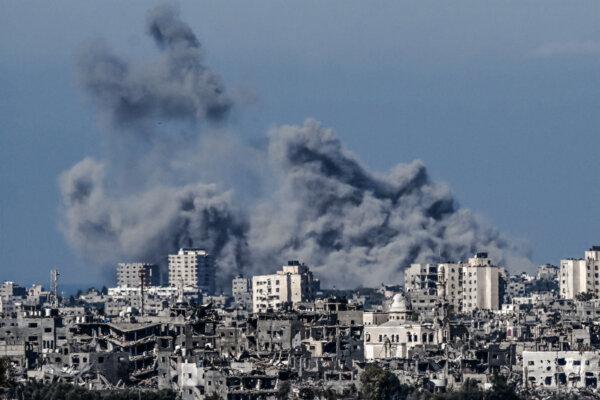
column 292, row 285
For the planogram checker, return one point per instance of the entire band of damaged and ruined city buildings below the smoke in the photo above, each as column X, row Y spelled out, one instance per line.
column 450, row 323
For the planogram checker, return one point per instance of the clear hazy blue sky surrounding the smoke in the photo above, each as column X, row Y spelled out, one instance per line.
column 499, row 99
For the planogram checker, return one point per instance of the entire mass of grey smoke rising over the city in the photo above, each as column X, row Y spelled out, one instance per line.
column 351, row 225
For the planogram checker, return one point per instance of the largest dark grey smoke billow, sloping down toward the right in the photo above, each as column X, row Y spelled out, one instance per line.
column 355, row 227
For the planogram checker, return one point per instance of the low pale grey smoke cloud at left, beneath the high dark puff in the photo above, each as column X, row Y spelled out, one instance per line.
column 149, row 225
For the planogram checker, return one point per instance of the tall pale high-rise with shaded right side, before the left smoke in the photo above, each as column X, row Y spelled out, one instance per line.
column 192, row 268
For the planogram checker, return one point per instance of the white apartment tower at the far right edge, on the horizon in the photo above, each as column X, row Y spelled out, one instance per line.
column 580, row 275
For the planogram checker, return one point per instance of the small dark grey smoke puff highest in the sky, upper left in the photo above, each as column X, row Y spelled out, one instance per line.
column 178, row 88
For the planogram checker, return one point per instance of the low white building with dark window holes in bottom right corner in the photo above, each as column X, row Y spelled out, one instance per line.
column 561, row 369
